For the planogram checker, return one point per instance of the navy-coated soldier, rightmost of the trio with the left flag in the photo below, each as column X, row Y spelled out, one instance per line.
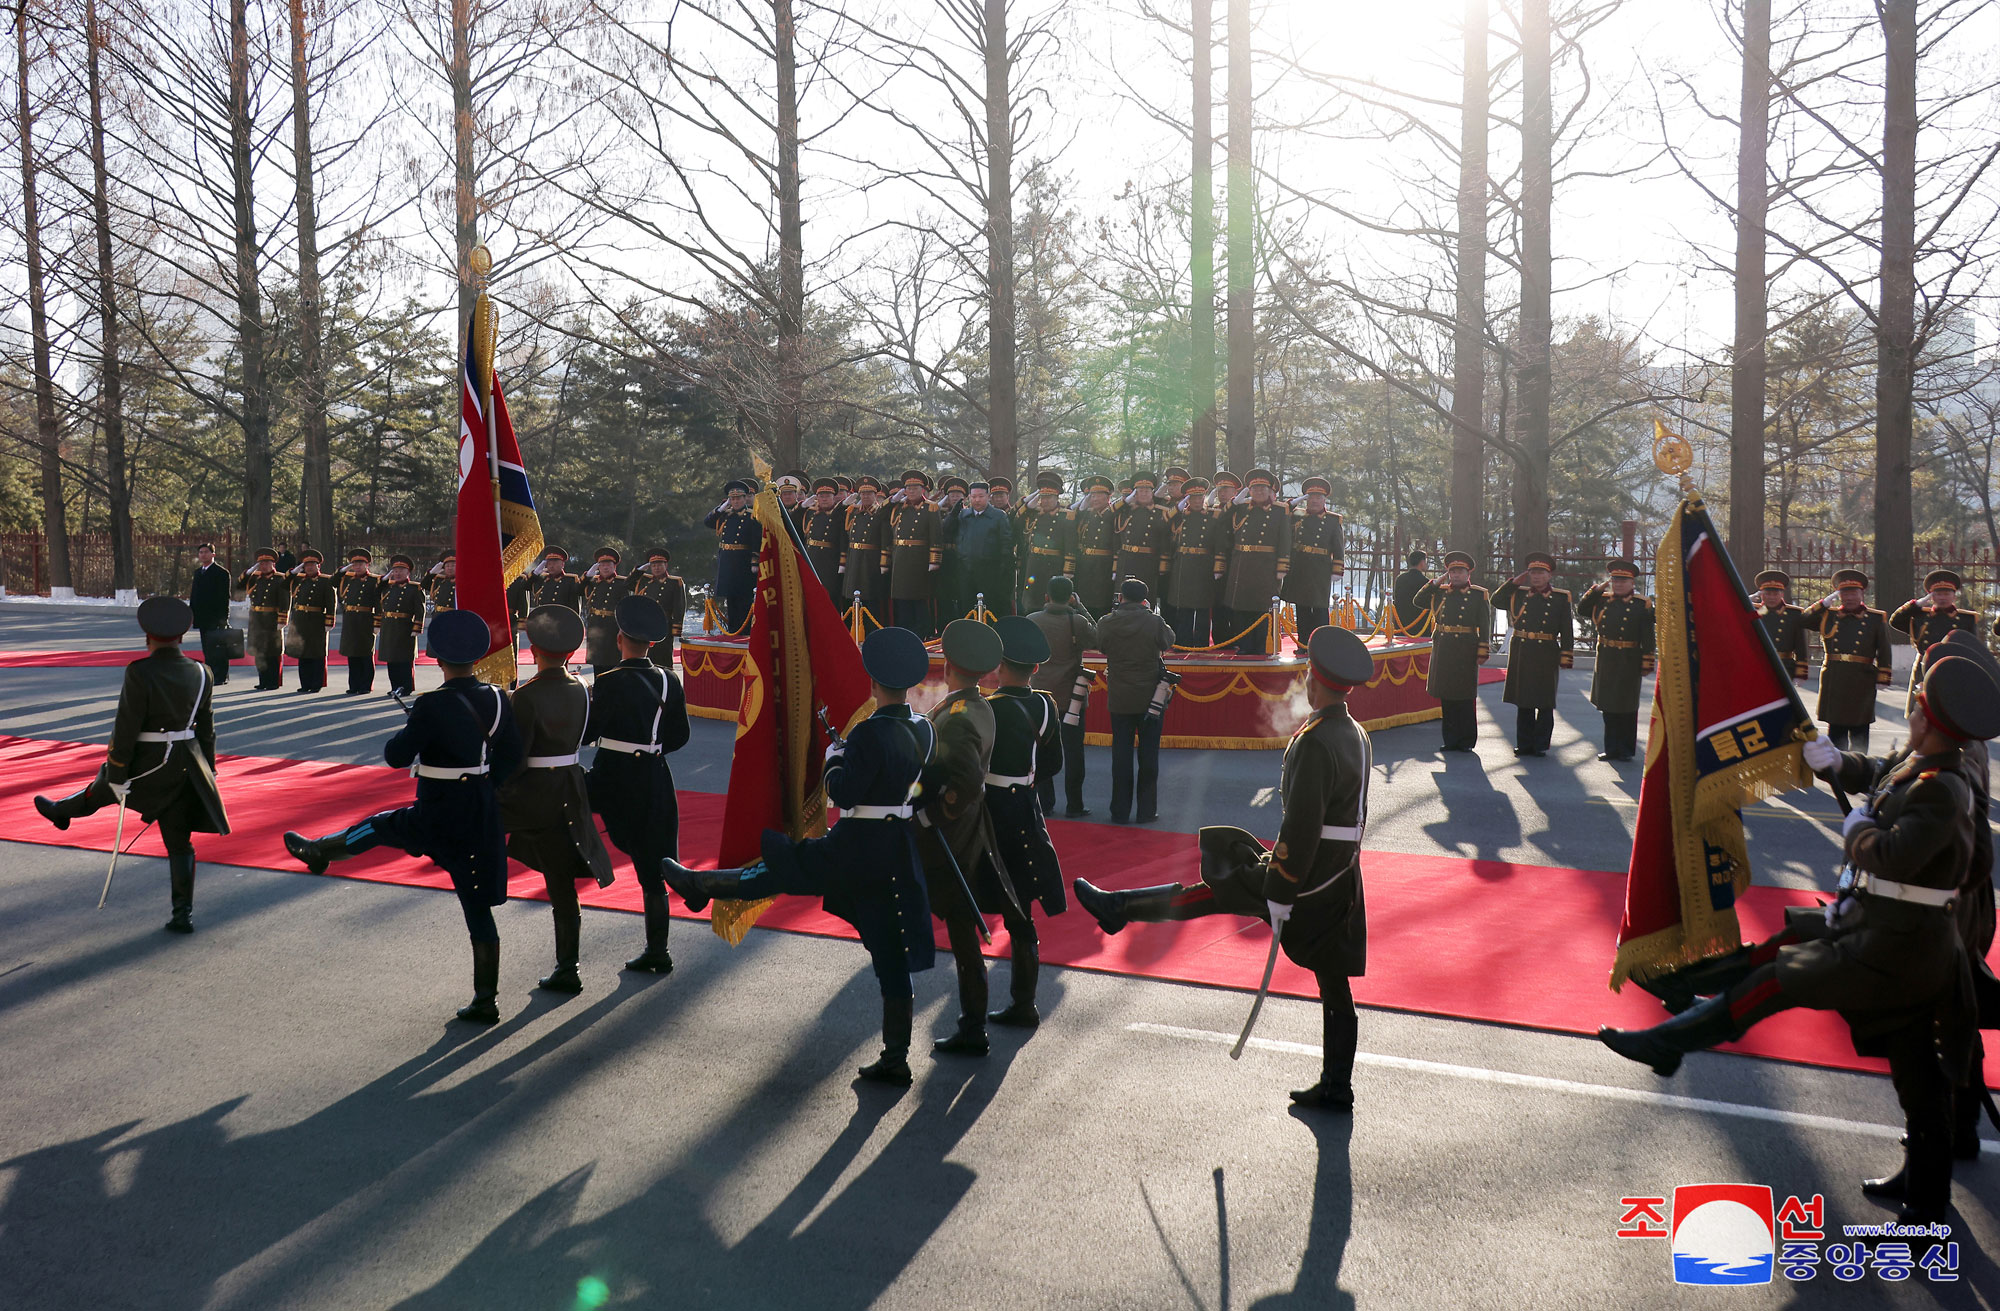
column 639, row 716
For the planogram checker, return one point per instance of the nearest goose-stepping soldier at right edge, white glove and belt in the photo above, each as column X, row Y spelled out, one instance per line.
column 1887, row 954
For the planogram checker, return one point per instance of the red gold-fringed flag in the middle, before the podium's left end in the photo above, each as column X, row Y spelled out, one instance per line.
column 799, row 662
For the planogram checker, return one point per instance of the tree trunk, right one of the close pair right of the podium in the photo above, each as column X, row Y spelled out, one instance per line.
column 1537, row 273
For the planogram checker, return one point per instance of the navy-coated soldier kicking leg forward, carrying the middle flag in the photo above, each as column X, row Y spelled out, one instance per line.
column 867, row 868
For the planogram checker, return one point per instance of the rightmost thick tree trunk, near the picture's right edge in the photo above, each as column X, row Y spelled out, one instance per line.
column 1897, row 319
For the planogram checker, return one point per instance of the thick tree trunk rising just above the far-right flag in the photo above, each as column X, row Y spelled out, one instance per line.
column 1747, row 363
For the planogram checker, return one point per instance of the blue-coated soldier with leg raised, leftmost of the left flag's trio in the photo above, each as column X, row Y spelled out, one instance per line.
column 459, row 742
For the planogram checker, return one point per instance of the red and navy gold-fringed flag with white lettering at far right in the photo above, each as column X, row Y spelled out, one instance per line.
column 1727, row 730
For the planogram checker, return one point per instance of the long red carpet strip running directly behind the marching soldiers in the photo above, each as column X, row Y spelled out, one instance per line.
column 1477, row 940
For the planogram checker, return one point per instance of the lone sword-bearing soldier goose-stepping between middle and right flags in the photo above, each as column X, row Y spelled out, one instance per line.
column 1309, row 886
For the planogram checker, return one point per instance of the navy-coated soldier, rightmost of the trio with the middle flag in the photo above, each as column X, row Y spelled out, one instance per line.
column 1027, row 742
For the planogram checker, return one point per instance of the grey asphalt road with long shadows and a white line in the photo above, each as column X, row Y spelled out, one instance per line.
column 277, row 1112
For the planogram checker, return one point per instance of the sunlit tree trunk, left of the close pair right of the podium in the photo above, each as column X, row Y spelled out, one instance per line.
column 1469, row 331
